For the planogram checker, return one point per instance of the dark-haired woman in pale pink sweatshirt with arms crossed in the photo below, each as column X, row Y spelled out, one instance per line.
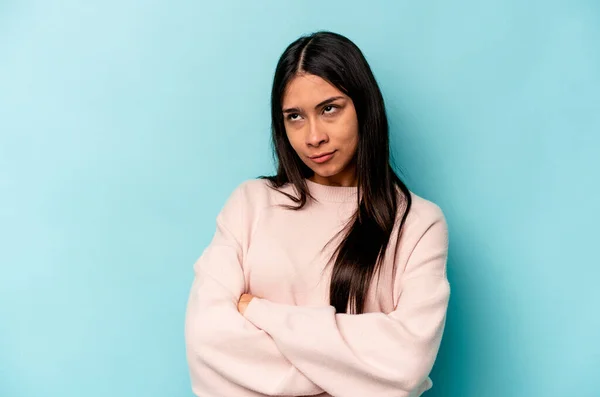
column 328, row 278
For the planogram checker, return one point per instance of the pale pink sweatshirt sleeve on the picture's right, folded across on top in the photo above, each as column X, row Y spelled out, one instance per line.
column 371, row 354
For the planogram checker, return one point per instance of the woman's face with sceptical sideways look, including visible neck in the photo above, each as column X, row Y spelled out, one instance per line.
column 322, row 127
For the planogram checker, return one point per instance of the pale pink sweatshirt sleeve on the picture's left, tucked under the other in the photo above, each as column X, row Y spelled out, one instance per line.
column 221, row 345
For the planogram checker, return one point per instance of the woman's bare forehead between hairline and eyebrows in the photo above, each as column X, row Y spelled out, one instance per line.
column 307, row 90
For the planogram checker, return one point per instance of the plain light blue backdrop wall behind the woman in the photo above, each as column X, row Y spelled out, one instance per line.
column 124, row 125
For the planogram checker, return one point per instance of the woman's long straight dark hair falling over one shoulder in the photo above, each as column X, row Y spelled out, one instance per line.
column 358, row 257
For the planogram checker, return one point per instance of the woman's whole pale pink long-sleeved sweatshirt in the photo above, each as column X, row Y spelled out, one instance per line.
column 290, row 341
